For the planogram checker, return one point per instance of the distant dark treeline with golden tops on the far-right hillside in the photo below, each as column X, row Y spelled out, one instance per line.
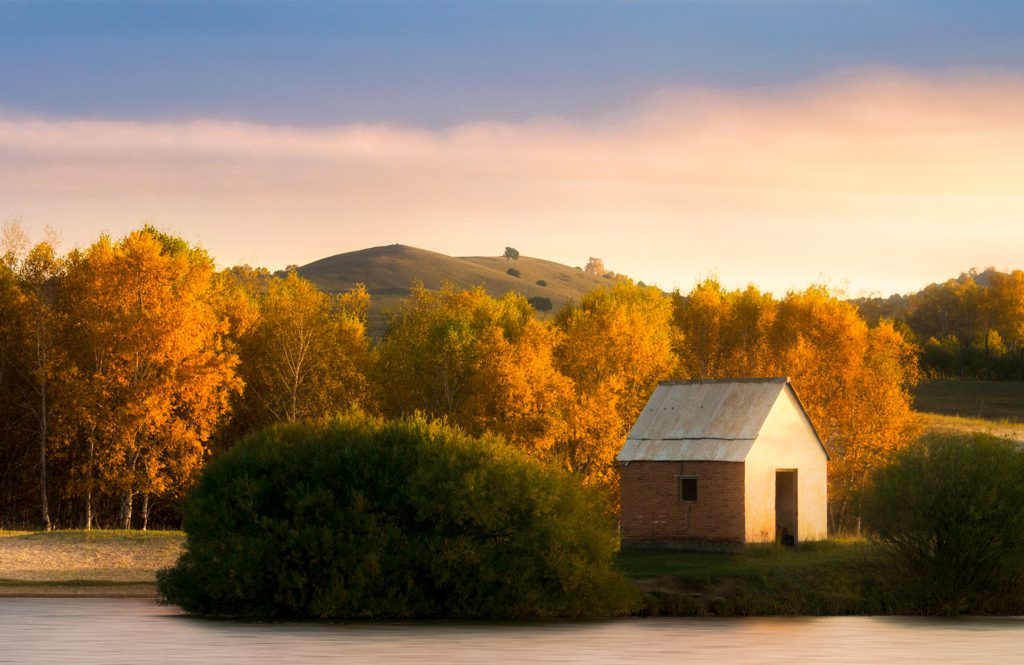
column 969, row 327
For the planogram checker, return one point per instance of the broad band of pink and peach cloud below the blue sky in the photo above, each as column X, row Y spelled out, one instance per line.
column 879, row 180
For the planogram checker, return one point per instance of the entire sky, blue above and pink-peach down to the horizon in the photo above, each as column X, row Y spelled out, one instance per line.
column 872, row 147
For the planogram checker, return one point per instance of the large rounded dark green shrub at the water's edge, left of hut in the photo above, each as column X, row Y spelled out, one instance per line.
column 356, row 518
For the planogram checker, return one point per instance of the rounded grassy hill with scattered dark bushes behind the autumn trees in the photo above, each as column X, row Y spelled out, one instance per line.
column 389, row 272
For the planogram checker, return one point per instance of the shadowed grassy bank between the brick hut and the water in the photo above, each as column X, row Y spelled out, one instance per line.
column 814, row 579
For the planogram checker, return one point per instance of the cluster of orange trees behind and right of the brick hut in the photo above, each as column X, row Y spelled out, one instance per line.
column 854, row 381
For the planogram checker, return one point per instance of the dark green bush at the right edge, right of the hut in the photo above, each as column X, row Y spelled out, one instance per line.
column 950, row 514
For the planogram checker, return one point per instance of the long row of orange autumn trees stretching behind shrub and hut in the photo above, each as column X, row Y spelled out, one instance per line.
column 124, row 367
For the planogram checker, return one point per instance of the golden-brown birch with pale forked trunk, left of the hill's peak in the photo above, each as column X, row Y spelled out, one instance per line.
column 305, row 353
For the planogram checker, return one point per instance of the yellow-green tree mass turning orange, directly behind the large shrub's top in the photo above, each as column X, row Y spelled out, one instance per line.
column 482, row 363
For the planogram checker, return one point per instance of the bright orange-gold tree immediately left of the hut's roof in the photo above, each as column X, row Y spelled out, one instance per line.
column 616, row 347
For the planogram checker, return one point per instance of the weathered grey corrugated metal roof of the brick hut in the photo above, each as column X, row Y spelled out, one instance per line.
column 715, row 421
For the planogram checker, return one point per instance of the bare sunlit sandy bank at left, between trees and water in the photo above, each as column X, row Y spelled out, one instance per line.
column 77, row 563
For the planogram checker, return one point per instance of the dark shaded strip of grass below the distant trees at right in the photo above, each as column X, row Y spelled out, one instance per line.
column 972, row 399
